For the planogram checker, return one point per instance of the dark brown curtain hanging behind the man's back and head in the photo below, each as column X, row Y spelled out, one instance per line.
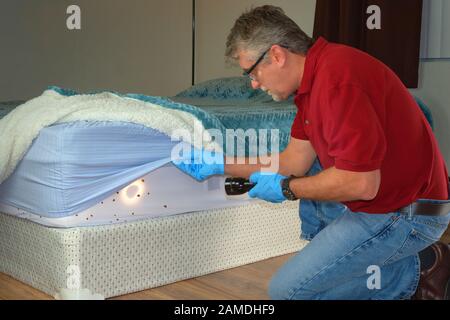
column 397, row 43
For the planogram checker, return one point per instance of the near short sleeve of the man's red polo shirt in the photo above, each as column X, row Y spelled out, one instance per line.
column 353, row 130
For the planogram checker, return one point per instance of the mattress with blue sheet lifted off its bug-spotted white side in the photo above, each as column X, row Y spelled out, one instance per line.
column 75, row 174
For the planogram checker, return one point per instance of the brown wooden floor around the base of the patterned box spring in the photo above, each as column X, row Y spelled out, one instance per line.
column 247, row 282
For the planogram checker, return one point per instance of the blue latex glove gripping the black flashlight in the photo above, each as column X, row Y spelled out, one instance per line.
column 268, row 187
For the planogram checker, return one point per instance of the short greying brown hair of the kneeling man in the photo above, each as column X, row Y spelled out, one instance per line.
column 261, row 27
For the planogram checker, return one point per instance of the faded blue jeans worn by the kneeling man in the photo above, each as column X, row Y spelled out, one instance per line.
column 355, row 255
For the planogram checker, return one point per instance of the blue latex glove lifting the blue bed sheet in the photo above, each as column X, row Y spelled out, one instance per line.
column 200, row 164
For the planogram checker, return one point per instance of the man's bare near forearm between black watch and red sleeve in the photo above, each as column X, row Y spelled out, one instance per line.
column 336, row 185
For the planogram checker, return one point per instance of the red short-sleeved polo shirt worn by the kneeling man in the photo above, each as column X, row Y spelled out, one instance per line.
column 359, row 116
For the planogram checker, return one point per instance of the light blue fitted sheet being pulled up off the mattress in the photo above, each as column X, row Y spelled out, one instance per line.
column 72, row 166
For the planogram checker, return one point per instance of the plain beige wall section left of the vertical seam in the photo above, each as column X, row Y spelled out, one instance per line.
column 139, row 46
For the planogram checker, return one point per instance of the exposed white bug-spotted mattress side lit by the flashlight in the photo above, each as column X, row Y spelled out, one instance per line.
column 163, row 192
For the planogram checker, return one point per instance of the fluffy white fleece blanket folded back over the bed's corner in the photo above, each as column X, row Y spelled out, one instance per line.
column 22, row 125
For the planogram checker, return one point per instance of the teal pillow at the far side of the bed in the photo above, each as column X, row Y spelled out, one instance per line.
column 236, row 88
